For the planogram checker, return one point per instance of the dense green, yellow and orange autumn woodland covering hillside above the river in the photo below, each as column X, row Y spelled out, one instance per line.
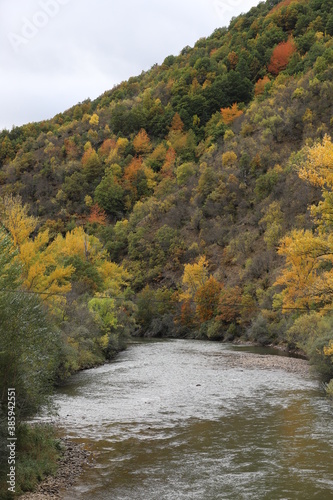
column 194, row 200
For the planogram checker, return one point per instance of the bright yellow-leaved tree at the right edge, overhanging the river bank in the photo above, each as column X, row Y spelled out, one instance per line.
column 307, row 276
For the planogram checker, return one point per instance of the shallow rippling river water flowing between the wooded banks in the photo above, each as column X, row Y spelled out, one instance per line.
column 188, row 420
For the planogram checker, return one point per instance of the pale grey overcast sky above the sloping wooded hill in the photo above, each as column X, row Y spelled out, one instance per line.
column 56, row 53
